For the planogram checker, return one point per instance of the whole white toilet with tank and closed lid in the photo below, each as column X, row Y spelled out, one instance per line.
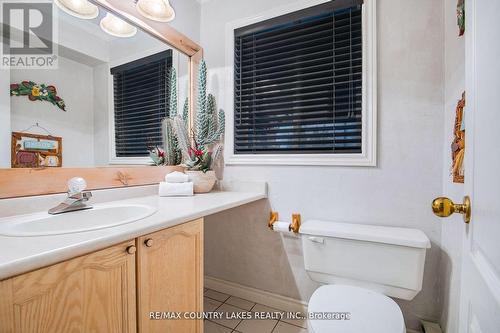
column 360, row 267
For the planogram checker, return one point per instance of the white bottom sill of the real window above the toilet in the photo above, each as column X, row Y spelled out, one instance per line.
column 304, row 160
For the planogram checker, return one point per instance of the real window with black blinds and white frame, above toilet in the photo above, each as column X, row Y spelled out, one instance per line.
column 299, row 90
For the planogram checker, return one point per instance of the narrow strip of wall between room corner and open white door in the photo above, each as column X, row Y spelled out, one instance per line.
column 452, row 228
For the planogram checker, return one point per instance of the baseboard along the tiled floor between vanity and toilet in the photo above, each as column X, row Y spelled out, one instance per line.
column 256, row 295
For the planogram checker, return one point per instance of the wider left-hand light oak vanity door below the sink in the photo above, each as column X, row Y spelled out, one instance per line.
column 92, row 293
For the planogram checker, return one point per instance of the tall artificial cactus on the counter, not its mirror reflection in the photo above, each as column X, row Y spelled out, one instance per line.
column 203, row 148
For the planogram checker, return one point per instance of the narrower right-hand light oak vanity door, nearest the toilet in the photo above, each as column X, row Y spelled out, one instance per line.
column 170, row 277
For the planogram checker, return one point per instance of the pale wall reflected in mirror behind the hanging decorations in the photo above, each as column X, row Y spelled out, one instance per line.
column 74, row 82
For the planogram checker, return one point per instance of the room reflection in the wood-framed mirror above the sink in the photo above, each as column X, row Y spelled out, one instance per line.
column 103, row 104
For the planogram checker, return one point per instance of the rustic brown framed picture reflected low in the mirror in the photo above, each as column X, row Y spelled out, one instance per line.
column 35, row 151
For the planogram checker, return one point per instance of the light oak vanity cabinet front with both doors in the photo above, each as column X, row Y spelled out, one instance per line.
column 97, row 292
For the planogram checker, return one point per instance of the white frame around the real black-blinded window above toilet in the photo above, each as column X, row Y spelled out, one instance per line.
column 368, row 157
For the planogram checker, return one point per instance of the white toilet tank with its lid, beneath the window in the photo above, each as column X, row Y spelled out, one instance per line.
column 388, row 260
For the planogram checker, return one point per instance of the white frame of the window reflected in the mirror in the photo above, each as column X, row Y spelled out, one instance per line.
column 113, row 159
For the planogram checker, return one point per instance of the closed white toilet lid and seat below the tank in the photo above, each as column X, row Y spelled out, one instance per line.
column 369, row 311
